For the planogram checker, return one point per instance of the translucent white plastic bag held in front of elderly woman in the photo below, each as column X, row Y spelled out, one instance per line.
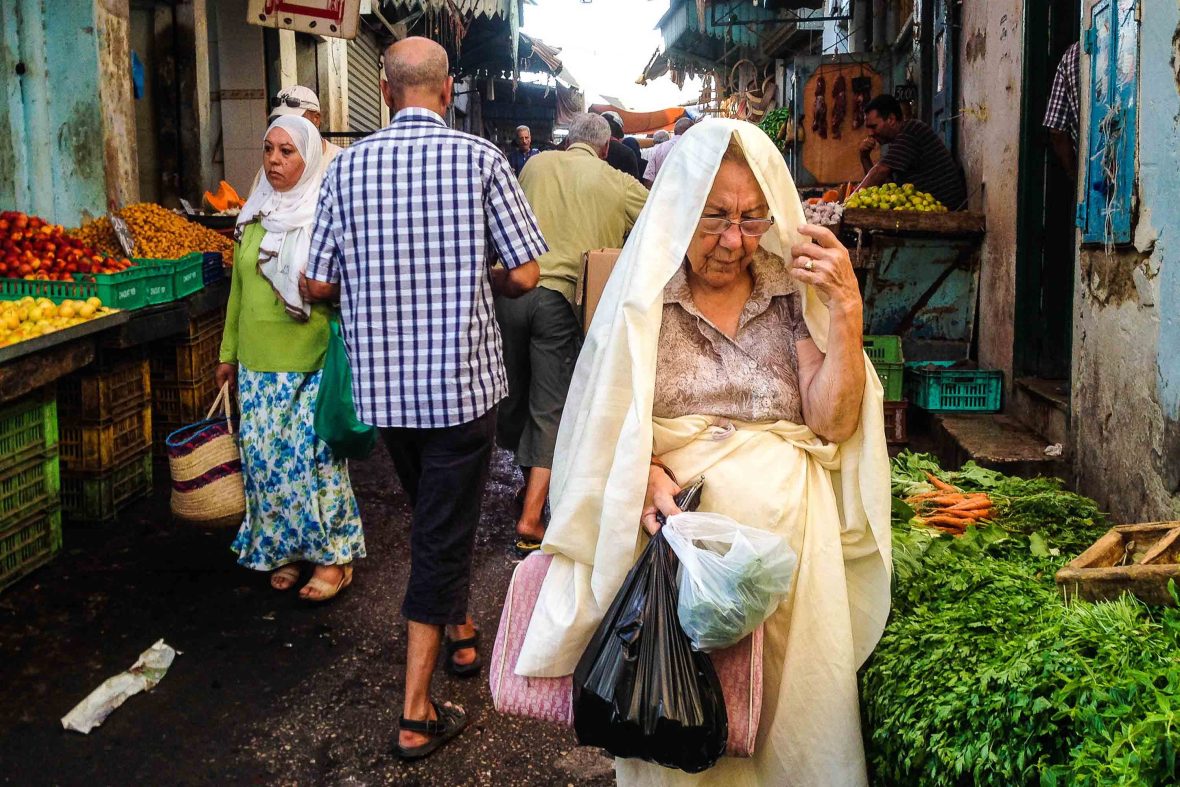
column 732, row 578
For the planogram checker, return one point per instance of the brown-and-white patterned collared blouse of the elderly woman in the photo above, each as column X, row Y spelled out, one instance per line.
column 753, row 377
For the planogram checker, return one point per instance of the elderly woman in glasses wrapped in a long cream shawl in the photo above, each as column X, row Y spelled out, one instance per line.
column 729, row 344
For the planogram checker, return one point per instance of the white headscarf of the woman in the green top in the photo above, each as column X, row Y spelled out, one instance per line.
column 287, row 217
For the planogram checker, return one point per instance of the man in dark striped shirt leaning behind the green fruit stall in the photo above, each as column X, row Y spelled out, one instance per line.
column 916, row 155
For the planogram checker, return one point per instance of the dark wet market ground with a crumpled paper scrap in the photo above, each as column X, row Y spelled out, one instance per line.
column 270, row 691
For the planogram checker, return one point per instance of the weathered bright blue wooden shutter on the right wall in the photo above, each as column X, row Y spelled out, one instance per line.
column 1112, row 140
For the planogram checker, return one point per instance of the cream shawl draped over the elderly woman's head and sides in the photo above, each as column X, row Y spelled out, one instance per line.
column 606, row 440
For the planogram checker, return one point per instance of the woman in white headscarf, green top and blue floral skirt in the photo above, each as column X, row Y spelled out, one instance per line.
column 300, row 503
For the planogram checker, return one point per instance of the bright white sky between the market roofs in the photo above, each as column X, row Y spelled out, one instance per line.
column 606, row 44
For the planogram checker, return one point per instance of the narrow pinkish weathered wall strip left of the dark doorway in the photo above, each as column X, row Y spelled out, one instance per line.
column 988, row 140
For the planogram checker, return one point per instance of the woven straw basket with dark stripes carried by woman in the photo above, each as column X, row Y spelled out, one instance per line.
column 207, row 470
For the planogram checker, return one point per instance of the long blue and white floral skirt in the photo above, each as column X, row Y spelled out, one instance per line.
column 299, row 501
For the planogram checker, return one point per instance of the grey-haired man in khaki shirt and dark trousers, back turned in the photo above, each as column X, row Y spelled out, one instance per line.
column 581, row 204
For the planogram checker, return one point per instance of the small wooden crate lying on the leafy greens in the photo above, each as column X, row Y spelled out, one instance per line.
column 1139, row 560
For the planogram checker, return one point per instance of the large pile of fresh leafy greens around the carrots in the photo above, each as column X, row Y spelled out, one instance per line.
column 985, row 677
